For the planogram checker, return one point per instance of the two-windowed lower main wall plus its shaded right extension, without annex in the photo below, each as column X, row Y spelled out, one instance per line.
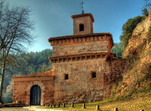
column 81, row 87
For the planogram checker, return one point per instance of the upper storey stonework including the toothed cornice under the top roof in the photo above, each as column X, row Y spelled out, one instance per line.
column 83, row 44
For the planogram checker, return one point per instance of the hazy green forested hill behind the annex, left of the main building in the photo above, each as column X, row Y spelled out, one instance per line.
column 26, row 63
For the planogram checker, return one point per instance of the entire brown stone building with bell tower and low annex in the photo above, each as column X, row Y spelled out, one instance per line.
column 83, row 69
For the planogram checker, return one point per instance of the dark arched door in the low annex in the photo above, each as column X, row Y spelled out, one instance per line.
column 35, row 95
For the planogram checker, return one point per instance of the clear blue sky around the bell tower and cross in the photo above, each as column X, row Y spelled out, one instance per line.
column 52, row 18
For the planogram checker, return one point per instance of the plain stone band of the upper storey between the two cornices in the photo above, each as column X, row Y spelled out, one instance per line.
column 79, row 48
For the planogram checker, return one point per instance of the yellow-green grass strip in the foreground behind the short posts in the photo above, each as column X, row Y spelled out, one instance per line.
column 137, row 103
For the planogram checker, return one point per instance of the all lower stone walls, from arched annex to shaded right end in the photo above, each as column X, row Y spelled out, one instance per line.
column 80, row 87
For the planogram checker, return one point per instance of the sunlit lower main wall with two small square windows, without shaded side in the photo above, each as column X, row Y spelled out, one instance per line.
column 80, row 86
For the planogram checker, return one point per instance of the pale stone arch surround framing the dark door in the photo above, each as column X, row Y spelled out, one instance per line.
column 33, row 83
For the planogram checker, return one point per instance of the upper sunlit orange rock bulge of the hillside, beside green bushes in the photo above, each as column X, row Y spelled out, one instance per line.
column 139, row 38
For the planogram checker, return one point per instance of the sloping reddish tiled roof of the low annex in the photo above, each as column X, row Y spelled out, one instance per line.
column 39, row 74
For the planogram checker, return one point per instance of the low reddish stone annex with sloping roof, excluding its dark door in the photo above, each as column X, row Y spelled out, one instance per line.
column 23, row 85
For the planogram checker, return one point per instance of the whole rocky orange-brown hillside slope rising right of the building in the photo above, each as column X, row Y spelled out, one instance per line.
column 138, row 77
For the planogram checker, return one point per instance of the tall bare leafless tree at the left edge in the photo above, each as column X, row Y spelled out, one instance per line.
column 15, row 26
